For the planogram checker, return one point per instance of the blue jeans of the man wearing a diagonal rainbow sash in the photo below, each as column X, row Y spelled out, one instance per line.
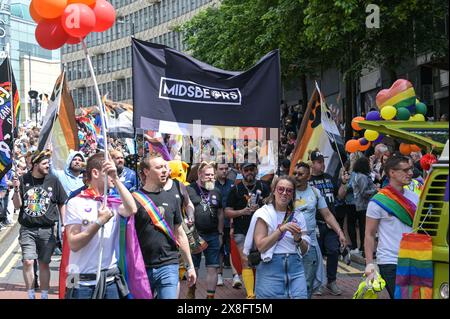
column 164, row 281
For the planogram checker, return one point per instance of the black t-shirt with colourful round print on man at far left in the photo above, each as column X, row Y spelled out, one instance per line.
column 40, row 200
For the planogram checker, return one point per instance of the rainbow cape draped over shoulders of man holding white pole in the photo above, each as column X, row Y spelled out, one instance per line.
column 131, row 262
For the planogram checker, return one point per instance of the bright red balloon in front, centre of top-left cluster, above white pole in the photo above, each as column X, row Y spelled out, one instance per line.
column 78, row 20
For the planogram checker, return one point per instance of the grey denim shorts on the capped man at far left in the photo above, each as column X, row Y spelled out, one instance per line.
column 37, row 243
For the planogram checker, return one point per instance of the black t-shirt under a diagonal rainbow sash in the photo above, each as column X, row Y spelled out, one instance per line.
column 157, row 248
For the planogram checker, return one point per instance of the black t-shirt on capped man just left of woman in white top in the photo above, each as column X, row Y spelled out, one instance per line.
column 238, row 199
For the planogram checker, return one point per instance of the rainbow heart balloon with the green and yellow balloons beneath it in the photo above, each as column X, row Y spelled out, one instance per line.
column 399, row 102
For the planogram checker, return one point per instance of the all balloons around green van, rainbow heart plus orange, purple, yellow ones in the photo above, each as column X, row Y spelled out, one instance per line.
column 398, row 103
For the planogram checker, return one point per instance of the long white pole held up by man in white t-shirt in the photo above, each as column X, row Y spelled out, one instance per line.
column 105, row 141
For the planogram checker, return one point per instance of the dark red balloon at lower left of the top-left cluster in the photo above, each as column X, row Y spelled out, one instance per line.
column 50, row 34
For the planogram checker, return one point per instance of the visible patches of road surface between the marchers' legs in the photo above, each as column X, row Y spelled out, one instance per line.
column 12, row 285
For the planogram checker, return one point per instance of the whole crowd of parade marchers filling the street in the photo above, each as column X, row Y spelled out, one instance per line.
column 284, row 227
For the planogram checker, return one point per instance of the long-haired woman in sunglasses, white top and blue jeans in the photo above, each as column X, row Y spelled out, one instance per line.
column 279, row 234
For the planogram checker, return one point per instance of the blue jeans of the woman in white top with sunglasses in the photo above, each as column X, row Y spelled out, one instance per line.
column 281, row 278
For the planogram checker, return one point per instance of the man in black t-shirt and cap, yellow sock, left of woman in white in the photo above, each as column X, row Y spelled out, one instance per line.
column 243, row 200
